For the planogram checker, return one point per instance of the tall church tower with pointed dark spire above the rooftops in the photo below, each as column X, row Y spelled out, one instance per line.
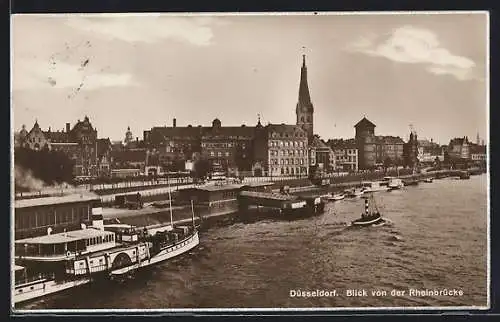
column 304, row 109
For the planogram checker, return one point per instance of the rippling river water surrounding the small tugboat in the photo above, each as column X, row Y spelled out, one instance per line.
column 436, row 240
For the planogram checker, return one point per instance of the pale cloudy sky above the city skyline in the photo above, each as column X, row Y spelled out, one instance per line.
column 144, row 70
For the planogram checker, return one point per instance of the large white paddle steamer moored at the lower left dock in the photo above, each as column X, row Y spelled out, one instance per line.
column 56, row 262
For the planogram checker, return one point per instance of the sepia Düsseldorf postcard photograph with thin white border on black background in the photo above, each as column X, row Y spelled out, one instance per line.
column 306, row 161
